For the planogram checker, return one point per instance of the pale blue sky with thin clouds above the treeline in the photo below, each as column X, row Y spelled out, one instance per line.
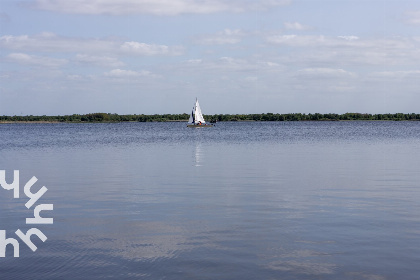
column 61, row 57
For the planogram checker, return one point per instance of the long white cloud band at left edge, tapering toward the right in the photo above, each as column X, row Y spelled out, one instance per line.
column 48, row 42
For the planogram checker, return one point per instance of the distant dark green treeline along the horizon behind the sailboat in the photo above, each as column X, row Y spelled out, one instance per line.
column 105, row 117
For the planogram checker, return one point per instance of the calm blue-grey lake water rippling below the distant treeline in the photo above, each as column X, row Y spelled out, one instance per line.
column 248, row 200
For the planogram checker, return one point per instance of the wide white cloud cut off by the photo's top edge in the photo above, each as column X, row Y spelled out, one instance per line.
column 156, row 7
